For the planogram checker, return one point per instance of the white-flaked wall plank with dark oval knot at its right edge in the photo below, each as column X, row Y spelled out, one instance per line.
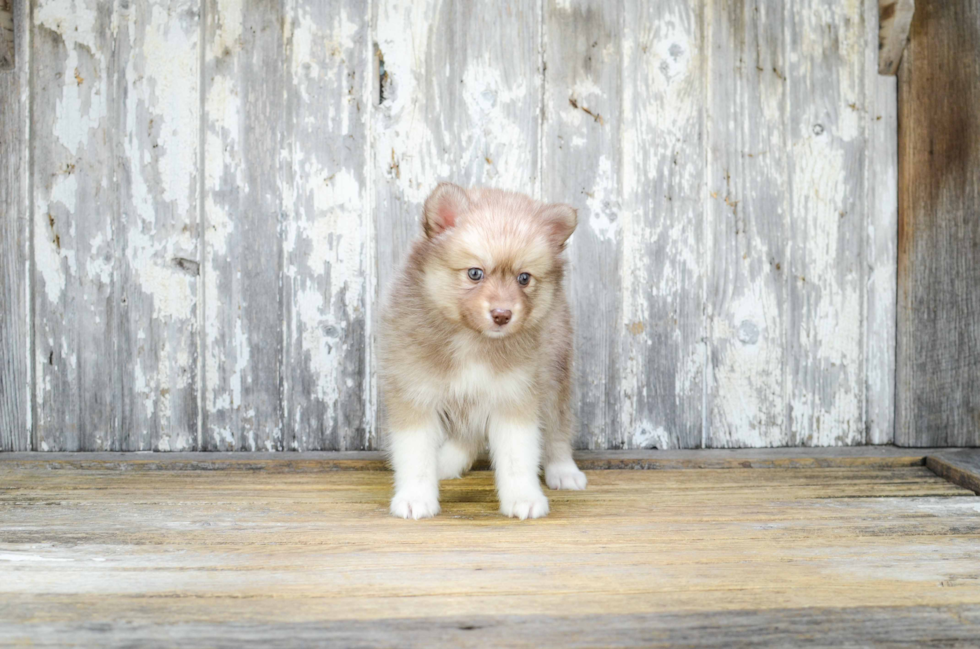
column 154, row 243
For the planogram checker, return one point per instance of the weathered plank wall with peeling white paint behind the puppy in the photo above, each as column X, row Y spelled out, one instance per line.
column 203, row 199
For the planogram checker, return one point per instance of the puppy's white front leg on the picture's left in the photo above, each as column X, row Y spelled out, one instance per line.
column 414, row 444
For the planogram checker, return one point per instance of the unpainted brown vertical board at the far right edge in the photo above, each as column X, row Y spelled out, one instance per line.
column 938, row 349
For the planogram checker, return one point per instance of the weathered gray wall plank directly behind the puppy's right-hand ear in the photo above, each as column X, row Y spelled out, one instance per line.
column 581, row 165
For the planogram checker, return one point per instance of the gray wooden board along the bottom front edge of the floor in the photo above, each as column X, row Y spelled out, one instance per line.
column 866, row 626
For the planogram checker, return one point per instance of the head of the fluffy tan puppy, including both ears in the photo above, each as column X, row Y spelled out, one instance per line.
column 494, row 262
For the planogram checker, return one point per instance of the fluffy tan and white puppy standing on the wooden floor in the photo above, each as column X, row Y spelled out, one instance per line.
column 476, row 347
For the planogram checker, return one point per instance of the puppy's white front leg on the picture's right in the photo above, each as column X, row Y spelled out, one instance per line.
column 515, row 448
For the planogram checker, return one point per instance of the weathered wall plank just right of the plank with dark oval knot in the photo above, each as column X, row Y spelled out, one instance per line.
column 243, row 105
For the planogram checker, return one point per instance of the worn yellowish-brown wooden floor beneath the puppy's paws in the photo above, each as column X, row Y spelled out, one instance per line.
column 871, row 554
